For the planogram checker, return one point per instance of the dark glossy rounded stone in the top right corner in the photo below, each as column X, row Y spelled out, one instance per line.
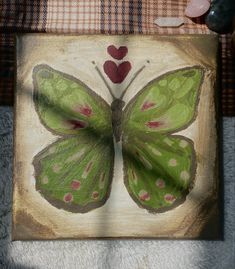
column 220, row 16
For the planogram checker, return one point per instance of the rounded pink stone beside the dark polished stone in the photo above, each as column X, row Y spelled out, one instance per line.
column 197, row 8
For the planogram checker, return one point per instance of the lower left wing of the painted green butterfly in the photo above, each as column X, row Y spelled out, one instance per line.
column 75, row 173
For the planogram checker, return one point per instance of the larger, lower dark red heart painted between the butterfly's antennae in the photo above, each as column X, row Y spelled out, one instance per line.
column 117, row 73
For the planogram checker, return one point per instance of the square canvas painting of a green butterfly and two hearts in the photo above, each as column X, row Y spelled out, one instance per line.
column 115, row 136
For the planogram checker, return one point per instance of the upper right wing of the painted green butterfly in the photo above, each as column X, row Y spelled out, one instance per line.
column 165, row 105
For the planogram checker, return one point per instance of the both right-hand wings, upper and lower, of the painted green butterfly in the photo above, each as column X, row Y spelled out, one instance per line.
column 159, row 168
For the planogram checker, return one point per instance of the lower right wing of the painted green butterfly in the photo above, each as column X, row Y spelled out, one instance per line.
column 158, row 171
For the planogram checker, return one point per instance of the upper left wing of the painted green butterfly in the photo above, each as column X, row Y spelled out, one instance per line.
column 66, row 106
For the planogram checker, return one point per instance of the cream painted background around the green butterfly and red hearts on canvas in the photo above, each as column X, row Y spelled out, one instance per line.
column 120, row 216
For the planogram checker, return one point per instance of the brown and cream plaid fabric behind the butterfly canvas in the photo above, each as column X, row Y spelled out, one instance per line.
column 100, row 16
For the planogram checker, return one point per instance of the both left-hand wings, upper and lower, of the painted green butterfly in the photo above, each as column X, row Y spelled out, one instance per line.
column 75, row 172
